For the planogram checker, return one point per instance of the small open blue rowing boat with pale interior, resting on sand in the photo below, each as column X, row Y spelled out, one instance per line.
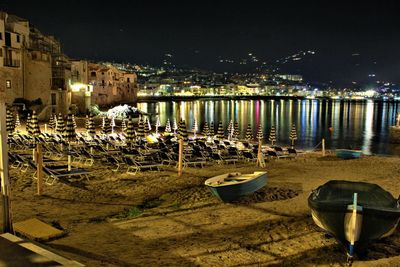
column 231, row 186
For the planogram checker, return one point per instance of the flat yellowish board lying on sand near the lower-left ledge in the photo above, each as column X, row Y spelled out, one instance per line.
column 36, row 229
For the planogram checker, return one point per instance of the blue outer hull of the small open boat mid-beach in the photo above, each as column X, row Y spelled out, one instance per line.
column 228, row 193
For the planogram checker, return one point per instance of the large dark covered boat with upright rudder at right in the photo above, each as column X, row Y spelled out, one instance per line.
column 354, row 212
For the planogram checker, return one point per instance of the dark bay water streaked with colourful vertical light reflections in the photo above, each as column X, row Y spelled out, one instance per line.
column 358, row 125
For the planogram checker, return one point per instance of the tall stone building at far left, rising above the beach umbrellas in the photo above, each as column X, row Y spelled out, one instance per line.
column 32, row 67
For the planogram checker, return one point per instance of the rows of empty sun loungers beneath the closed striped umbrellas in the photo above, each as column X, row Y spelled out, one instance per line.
column 133, row 158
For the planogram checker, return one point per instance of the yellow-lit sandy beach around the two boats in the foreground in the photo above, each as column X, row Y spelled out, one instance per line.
column 160, row 219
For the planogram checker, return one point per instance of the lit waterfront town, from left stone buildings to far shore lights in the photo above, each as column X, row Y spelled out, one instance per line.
column 36, row 71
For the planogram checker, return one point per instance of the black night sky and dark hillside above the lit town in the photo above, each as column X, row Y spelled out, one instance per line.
column 350, row 40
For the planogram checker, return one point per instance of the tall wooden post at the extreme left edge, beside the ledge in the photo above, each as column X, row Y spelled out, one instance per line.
column 5, row 182
